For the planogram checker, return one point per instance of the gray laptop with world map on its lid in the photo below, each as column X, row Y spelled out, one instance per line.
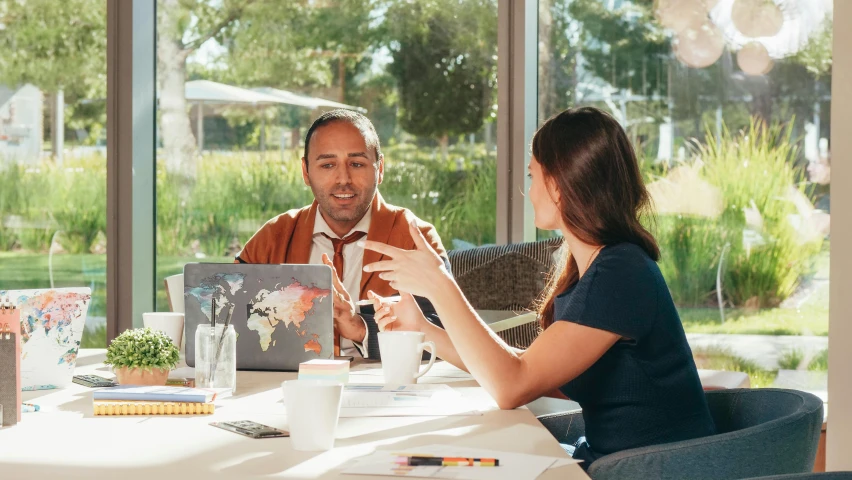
column 283, row 314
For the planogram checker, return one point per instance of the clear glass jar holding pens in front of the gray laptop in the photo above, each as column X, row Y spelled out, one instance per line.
column 216, row 357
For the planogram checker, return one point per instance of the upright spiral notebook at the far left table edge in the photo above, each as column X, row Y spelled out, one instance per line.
column 10, row 364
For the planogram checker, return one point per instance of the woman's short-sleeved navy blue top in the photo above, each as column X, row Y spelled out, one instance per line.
column 645, row 389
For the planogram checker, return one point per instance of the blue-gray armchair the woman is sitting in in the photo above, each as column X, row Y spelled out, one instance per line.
column 759, row 432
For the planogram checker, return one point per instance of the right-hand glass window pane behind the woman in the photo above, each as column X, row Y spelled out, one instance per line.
column 728, row 105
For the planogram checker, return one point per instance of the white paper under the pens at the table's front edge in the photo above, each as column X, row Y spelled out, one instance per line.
column 512, row 466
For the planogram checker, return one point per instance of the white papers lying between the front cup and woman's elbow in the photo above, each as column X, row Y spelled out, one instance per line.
column 370, row 400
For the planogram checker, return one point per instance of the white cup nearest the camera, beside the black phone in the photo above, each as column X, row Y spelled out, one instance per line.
column 313, row 408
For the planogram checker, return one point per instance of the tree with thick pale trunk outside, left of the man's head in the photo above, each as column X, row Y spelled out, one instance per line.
column 266, row 43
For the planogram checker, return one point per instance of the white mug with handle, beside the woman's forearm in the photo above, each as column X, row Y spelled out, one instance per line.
column 401, row 356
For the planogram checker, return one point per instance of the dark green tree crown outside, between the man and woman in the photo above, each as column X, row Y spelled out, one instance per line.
column 444, row 62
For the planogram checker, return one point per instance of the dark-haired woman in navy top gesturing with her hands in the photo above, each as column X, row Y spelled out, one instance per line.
column 612, row 339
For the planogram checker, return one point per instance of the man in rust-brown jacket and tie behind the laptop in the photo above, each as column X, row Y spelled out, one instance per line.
column 343, row 165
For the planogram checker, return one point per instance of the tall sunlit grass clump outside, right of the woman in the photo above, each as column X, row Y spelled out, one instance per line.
column 754, row 168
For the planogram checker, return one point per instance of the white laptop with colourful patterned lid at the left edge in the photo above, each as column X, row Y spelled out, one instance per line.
column 52, row 324
